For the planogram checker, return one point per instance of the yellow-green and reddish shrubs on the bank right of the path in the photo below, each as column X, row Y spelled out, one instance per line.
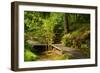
column 79, row 39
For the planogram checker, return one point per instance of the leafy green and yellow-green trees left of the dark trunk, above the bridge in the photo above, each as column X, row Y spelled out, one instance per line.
column 41, row 28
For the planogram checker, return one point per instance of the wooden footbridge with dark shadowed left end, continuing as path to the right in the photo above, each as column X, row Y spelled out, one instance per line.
column 60, row 49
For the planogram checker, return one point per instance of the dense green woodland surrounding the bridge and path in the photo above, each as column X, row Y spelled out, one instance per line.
column 69, row 29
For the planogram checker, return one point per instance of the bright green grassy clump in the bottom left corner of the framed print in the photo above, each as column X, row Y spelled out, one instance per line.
column 29, row 56
